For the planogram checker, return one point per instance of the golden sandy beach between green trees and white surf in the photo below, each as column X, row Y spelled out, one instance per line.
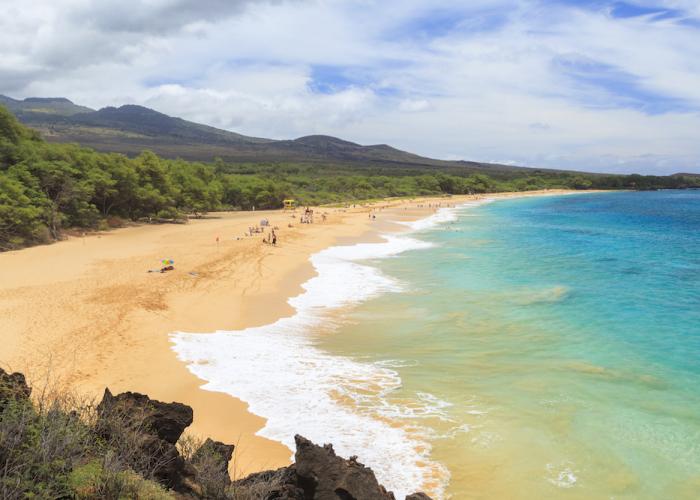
column 86, row 312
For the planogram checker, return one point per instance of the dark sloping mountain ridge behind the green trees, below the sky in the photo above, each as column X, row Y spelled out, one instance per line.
column 130, row 129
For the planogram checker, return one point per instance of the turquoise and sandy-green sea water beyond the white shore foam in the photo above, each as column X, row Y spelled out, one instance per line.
column 558, row 340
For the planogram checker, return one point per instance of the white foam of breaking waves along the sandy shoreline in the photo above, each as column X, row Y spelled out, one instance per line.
column 298, row 388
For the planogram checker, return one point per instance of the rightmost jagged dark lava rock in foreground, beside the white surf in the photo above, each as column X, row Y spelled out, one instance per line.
column 319, row 474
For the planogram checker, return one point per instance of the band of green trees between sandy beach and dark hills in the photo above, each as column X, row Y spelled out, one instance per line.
column 47, row 189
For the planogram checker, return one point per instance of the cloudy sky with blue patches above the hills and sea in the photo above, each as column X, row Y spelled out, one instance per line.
column 594, row 85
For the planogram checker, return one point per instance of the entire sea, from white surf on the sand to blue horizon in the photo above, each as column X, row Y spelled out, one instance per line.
column 530, row 348
